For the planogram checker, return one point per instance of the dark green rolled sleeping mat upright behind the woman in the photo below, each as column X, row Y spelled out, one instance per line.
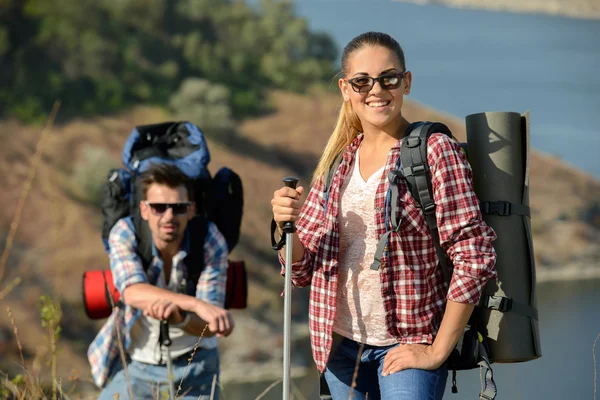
column 498, row 151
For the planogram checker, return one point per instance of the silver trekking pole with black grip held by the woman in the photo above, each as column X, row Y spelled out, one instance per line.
column 288, row 229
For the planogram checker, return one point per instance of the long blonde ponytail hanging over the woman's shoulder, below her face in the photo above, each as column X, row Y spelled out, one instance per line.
column 347, row 127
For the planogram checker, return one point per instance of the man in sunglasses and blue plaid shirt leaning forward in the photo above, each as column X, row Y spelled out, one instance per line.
column 160, row 292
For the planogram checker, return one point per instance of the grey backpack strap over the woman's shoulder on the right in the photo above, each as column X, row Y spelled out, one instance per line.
column 416, row 171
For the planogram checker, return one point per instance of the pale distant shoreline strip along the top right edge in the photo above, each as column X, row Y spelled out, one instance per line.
column 582, row 9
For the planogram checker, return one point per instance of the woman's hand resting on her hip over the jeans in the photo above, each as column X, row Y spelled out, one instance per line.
column 407, row 356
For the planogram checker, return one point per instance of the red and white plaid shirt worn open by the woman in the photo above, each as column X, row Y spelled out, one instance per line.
column 412, row 285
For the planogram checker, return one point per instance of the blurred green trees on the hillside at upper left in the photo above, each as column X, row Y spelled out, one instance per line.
column 100, row 56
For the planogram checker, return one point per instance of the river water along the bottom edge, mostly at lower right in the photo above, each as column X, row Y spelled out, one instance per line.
column 569, row 323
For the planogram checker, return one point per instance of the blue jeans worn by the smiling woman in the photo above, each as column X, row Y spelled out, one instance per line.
column 411, row 384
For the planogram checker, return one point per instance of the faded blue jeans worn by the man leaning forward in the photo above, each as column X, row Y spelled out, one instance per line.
column 150, row 381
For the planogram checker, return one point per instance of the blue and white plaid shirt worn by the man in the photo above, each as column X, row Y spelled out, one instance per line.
column 127, row 269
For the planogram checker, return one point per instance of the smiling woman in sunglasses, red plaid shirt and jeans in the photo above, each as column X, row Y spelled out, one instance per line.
column 398, row 324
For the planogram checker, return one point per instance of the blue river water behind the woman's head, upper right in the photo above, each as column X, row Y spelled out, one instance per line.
column 468, row 61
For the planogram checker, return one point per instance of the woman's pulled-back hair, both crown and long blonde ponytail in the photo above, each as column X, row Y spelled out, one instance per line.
column 348, row 125
